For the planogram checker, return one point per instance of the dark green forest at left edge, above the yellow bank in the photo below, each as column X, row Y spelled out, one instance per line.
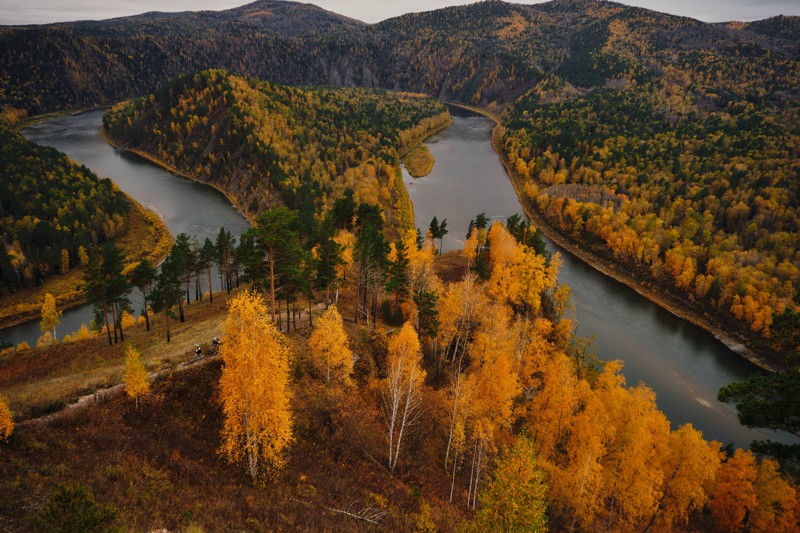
column 53, row 213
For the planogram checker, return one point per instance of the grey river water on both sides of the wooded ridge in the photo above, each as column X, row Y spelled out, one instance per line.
column 684, row 365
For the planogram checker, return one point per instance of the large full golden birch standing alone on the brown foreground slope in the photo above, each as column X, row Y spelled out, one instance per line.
column 254, row 387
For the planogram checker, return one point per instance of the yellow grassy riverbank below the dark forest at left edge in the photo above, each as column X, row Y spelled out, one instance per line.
column 146, row 236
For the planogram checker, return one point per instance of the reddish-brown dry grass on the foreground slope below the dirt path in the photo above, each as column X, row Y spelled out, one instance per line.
column 159, row 466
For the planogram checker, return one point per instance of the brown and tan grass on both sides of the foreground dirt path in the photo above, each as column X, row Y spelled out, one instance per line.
column 159, row 465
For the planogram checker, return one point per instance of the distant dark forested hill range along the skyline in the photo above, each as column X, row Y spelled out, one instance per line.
column 482, row 53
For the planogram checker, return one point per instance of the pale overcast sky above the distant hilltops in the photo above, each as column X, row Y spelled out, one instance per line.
column 44, row 11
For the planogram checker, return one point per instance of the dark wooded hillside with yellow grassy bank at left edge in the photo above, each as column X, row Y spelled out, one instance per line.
column 54, row 214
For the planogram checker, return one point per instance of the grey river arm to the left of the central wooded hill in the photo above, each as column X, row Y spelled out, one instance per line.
column 184, row 205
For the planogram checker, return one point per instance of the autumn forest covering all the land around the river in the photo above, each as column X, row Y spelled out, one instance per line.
column 360, row 378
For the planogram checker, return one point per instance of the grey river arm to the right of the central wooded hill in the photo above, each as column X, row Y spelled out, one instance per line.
column 682, row 363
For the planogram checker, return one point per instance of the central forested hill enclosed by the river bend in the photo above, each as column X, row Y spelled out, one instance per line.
column 266, row 144
